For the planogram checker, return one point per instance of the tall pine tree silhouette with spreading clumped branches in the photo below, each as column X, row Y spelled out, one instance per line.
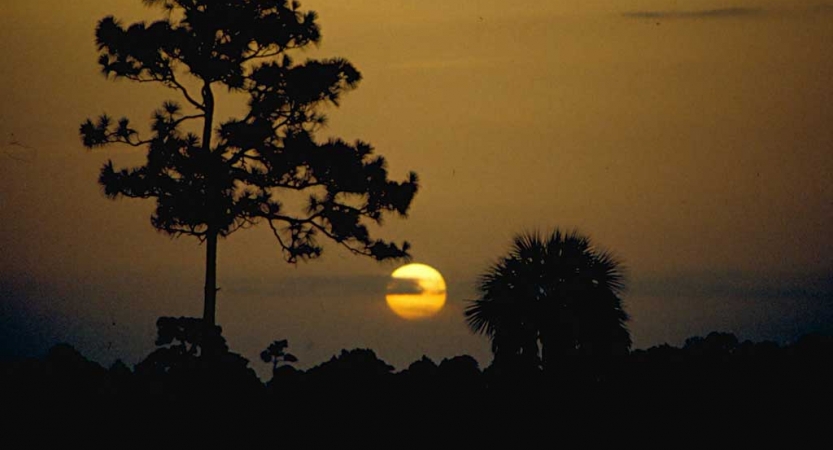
column 237, row 174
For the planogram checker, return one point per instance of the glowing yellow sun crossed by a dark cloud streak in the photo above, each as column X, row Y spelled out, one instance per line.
column 416, row 291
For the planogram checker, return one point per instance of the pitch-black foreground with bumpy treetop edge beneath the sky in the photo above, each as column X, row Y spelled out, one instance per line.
column 712, row 383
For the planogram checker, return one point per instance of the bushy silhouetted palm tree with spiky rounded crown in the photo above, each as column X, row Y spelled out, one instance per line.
column 551, row 298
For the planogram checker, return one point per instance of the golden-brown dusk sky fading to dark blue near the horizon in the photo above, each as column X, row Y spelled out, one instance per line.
column 692, row 138
